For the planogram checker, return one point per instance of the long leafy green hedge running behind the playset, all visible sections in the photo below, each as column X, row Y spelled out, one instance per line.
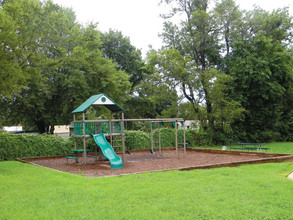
column 19, row 146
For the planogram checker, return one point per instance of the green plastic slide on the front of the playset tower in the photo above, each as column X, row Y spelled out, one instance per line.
column 108, row 151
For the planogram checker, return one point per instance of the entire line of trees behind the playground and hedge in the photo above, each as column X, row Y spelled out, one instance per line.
column 228, row 69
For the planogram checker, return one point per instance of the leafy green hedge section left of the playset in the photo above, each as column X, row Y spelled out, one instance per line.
column 19, row 146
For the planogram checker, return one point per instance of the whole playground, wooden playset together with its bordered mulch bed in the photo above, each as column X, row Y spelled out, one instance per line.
column 105, row 133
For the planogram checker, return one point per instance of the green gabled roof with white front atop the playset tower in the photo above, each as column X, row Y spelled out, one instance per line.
column 101, row 99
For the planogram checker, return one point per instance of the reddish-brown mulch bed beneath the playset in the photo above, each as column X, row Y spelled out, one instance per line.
column 145, row 161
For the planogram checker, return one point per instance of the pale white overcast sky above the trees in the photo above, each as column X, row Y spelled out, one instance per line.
column 140, row 19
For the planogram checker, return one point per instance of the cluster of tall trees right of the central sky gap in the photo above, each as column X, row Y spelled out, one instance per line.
column 234, row 67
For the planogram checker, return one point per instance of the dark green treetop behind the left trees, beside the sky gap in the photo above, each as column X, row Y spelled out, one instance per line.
column 118, row 48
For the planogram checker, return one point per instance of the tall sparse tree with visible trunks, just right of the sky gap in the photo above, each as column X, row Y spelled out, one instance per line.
column 194, row 43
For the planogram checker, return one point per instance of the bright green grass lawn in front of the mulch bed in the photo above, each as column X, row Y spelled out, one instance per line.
column 246, row 192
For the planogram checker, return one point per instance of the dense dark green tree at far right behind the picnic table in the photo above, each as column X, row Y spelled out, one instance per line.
column 261, row 70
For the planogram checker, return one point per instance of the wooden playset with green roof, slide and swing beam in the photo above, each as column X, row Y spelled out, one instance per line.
column 103, row 132
